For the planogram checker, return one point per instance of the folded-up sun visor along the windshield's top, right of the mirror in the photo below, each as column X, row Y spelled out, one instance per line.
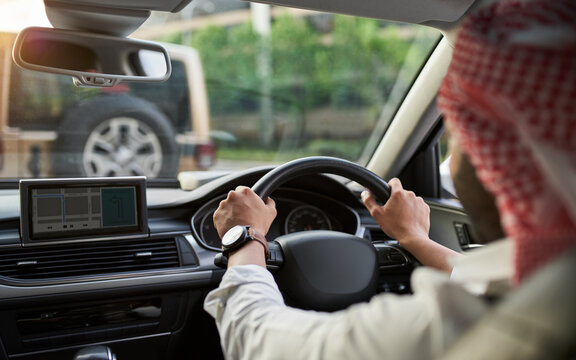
column 426, row 12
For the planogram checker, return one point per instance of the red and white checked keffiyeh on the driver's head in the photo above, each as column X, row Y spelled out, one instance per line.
column 509, row 98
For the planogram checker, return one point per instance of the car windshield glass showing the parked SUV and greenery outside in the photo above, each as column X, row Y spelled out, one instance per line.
column 251, row 85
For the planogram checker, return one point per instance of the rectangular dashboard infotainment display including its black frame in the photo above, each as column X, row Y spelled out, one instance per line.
column 64, row 210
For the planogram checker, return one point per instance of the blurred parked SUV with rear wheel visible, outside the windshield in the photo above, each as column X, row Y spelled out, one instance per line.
column 57, row 129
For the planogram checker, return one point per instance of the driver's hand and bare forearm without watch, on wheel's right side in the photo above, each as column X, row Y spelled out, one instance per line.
column 406, row 218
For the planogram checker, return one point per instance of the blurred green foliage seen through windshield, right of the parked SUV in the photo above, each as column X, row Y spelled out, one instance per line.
column 273, row 92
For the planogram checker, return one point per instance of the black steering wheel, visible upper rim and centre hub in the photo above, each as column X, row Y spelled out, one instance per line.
column 324, row 270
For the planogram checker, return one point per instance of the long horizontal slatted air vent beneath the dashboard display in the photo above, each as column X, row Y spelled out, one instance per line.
column 88, row 259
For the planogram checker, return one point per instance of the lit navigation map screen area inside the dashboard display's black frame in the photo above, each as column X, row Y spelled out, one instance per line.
column 65, row 209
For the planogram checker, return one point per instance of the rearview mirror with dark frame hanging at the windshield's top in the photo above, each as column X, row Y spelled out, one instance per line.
column 91, row 59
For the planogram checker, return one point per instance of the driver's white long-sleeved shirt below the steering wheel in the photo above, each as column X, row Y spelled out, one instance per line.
column 255, row 324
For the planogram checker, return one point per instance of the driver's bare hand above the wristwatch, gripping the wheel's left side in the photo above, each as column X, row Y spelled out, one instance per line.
column 244, row 207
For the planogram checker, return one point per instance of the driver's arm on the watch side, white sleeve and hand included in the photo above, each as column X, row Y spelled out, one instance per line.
column 254, row 322
